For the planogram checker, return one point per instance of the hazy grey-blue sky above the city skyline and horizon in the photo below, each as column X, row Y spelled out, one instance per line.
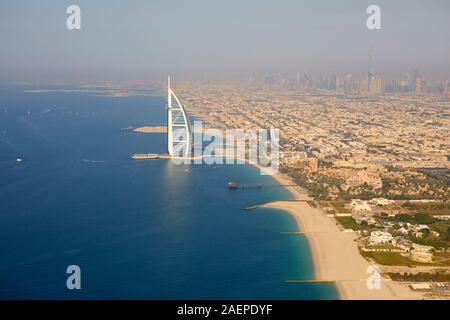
column 129, row 39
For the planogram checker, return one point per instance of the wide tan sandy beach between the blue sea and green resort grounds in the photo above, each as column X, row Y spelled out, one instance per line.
column 335, row 254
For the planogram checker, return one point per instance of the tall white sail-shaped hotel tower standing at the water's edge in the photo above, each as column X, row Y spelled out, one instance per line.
column 178, row 129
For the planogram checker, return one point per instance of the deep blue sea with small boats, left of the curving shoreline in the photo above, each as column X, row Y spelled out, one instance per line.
column 137, row 229
